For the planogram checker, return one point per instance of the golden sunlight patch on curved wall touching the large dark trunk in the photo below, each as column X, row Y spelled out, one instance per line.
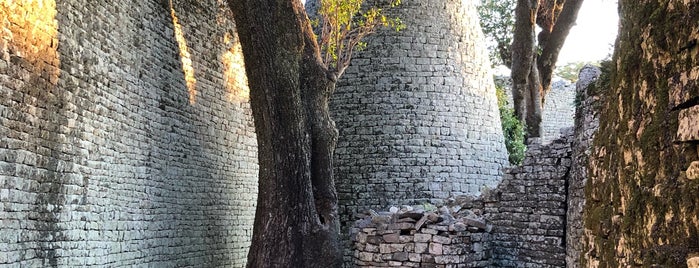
column 234, row 70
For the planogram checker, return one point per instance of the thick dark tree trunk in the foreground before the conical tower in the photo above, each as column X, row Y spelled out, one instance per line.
column 296, row 223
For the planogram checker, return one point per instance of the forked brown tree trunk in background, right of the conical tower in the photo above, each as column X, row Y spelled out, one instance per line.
column 531, row 71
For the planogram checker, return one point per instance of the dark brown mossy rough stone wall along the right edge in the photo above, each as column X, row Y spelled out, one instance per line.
column 641, row 198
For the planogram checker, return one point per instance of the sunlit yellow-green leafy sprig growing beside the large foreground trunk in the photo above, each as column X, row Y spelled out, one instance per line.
column 343, row 24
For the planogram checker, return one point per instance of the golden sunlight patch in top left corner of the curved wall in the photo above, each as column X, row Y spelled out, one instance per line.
column 28, row 29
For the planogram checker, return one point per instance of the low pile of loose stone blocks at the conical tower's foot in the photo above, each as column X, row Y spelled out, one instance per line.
column 423, row 236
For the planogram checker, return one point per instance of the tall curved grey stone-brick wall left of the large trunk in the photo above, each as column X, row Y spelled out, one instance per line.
column 125, row 136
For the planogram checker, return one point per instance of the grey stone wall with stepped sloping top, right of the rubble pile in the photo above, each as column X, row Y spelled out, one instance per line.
column 528, row 209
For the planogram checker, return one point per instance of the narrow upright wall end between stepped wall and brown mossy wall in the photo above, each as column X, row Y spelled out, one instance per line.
column 586, row 124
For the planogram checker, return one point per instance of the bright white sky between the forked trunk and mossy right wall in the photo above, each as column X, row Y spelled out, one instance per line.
column 592, row 38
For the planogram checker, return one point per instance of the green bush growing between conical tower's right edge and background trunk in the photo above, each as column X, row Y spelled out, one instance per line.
column 512, row 128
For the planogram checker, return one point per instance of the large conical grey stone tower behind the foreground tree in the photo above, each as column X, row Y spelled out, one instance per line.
column 417, row 112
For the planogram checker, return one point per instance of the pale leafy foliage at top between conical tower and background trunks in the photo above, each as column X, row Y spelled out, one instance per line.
column 497, row 20
